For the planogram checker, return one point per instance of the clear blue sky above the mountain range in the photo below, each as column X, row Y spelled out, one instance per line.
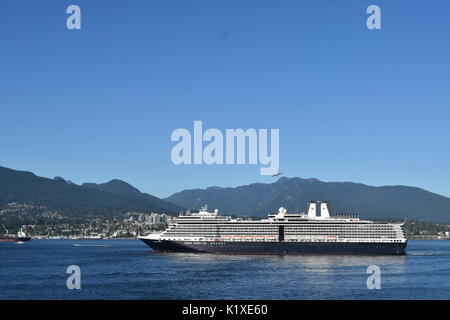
column 351, row 104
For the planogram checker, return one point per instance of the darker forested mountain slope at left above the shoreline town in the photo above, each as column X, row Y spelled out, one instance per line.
column 112, row 197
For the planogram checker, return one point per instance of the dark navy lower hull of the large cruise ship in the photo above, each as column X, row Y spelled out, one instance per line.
column 278, row 248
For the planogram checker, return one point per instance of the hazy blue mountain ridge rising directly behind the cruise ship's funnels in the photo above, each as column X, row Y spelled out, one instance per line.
column 258, row 199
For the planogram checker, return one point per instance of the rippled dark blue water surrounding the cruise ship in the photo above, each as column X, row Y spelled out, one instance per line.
column 128, row 269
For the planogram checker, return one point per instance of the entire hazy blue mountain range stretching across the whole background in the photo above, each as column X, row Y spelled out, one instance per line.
column 258, row 199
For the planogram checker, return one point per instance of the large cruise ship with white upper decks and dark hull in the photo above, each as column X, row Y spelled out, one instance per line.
column 313, row 232
